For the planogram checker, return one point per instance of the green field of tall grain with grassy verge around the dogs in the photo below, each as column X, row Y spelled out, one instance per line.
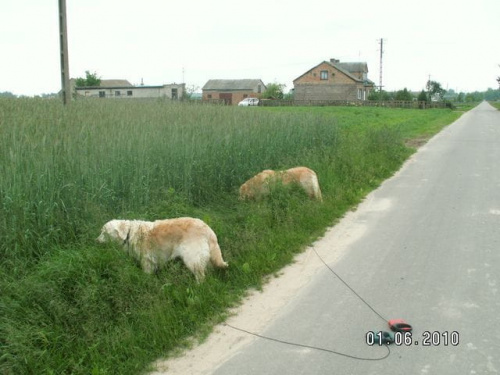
column 68, row 305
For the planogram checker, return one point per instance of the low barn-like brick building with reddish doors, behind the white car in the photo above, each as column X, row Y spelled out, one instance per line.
column 232, row 91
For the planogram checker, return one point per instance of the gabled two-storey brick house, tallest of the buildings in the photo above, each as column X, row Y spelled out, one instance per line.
column 333, row 80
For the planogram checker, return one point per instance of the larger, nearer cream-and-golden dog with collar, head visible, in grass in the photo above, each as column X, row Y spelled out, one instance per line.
column 155, row 243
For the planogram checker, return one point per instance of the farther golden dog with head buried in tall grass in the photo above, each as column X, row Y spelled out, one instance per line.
column 258, row 186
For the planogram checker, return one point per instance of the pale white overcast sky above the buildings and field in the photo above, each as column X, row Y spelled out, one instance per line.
column 455, row 42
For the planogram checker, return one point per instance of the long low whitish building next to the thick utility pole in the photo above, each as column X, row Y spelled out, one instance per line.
column 121, row 88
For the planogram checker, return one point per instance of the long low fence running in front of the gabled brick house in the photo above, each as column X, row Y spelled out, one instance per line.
column 354, row 103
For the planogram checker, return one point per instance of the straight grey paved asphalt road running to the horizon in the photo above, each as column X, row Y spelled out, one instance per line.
column 430, row 255
